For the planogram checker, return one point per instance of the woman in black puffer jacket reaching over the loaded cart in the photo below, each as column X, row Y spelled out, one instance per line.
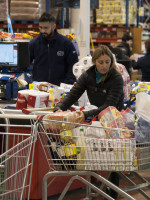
column 104, row 86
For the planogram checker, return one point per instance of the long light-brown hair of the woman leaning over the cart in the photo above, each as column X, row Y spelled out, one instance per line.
column 103, row 50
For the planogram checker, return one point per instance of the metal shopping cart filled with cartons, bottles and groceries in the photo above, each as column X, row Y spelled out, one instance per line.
column 78, row 151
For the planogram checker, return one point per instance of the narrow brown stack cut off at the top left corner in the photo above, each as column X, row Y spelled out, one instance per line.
column 3, row 10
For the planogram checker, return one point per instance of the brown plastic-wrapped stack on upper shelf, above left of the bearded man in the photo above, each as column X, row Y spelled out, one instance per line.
column 24, row 10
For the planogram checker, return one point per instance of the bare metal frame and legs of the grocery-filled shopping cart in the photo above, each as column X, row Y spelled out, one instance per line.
column 78, row 175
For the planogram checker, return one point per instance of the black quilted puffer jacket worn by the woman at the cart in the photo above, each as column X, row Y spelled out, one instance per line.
column 102, row 95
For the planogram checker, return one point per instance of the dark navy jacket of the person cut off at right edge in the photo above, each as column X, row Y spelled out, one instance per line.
column 143, row 64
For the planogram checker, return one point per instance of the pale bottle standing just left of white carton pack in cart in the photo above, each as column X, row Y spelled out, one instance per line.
column 81, row 147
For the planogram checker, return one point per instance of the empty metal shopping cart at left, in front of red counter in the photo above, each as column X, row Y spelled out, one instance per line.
column 16, row 157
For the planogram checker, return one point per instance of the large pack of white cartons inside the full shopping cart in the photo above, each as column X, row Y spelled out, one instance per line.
column 110, row 154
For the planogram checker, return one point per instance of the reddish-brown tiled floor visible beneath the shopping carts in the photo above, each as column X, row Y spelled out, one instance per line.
column 80, row 193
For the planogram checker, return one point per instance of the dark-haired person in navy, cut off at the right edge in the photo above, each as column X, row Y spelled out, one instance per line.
column 143, row 63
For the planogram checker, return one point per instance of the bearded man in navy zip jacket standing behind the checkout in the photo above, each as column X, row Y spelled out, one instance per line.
column 53, row 55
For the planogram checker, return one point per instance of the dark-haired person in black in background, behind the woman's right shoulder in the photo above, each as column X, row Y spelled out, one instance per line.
column 126, row 44
